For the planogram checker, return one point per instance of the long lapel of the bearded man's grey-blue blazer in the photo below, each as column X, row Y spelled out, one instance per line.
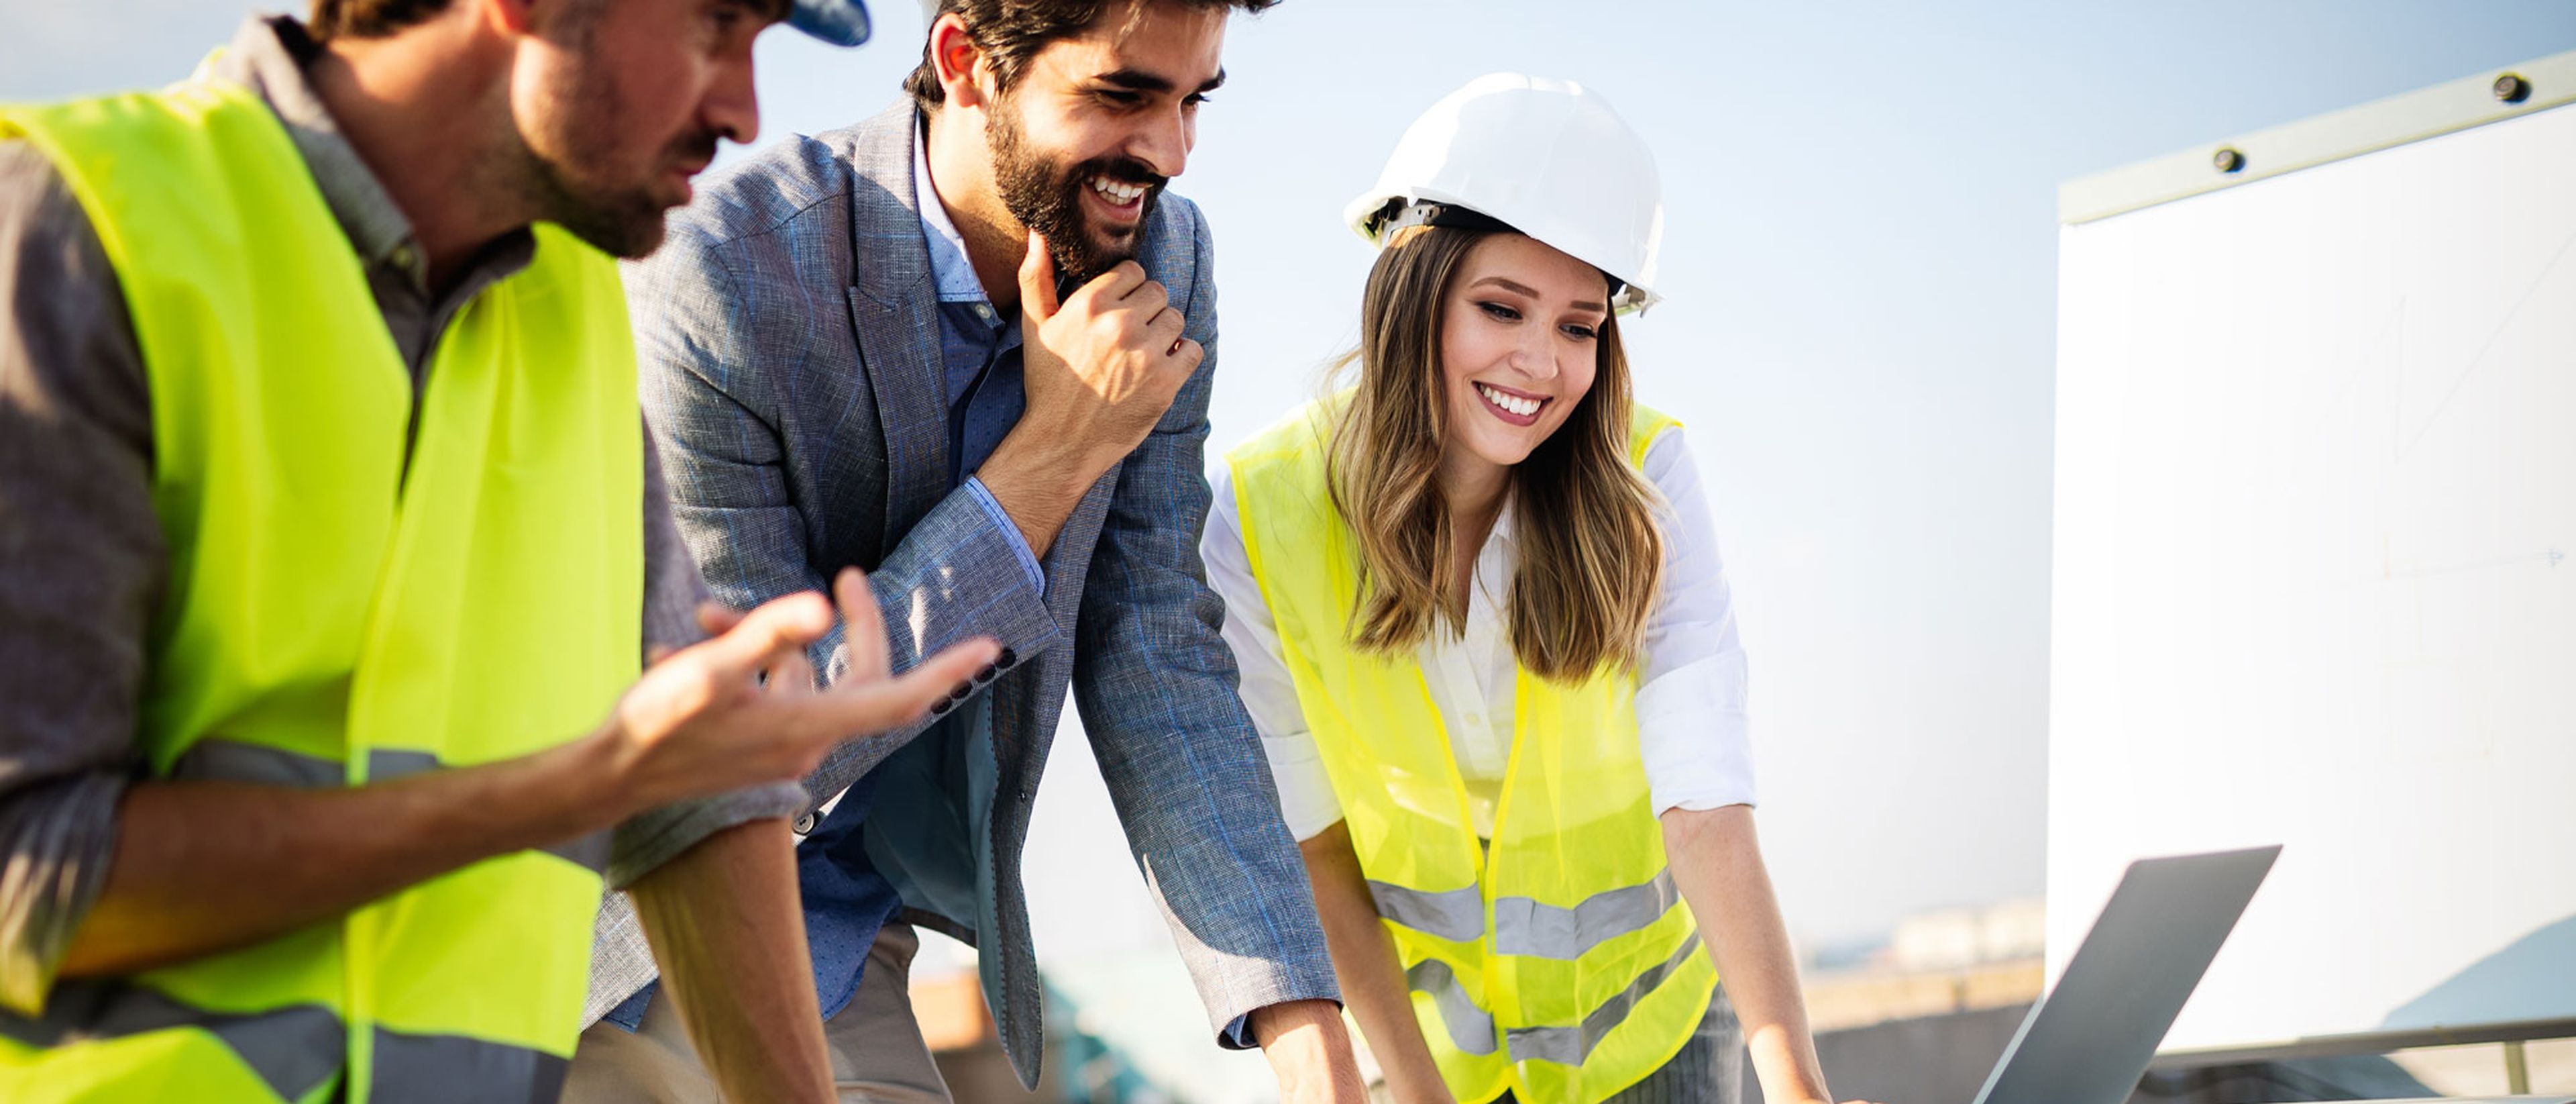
column 895, row 319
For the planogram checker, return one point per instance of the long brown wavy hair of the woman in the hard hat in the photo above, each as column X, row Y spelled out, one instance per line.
column 1591, row 548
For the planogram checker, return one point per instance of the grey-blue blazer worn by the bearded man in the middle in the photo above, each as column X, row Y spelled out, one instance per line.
column 792, row 370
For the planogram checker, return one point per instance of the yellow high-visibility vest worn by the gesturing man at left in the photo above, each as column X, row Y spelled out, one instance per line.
column 346, row 613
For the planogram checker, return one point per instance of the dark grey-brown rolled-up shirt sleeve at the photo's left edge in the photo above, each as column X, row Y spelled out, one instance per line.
column 84, row 569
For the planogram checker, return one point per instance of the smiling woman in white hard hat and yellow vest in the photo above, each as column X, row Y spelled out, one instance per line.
column 1490, row 649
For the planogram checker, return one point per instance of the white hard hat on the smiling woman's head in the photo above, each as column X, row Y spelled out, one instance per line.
column 1542, row 156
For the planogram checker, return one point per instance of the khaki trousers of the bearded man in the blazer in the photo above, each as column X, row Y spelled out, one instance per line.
column 877, row 1046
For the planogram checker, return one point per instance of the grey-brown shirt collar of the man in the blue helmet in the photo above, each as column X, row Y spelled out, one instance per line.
column 269, row 58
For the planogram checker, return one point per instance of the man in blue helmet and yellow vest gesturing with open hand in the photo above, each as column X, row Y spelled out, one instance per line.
column 341, row 664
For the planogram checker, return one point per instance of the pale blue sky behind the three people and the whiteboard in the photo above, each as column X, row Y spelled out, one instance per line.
column 1859, row 326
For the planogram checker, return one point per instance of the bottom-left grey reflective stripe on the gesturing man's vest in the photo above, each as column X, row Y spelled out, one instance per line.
column 295, row 1049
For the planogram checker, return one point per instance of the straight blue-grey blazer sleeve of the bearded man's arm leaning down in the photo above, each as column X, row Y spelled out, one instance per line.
column 1158, row 698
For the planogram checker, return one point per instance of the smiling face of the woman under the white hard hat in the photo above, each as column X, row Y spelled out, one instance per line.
column 1519, row 342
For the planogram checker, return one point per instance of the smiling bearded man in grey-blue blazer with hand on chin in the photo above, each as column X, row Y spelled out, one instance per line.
column 967, row 347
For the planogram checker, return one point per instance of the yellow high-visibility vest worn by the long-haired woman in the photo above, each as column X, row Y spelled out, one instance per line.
column 1555, row 961
